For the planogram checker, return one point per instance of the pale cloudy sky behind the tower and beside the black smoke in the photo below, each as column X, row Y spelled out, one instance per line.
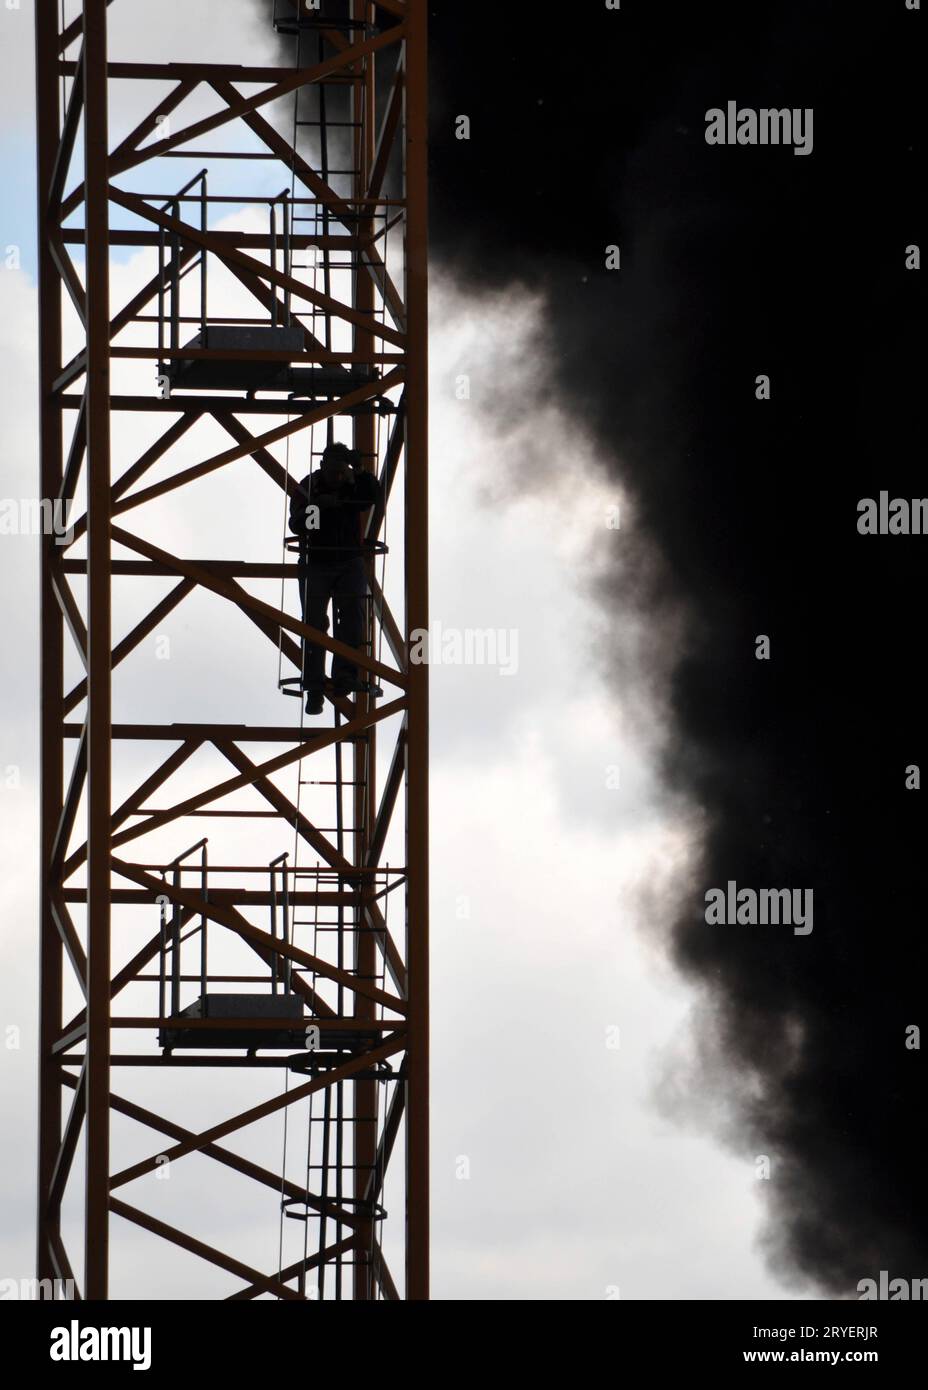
column 554, row 843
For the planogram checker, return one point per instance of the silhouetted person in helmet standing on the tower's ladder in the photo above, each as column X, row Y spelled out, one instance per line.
column 327, row 514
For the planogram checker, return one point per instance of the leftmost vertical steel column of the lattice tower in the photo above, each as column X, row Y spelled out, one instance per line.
column 51, row 949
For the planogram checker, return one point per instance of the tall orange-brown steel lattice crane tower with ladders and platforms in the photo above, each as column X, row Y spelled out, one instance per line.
column 333, row 1008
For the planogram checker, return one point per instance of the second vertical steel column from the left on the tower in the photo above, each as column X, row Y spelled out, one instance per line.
column 99, row 646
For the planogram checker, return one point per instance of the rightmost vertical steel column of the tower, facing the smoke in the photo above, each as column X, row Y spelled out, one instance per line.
column 417, row 903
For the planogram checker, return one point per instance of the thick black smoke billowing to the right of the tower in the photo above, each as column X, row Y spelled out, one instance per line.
column 740, row 263
